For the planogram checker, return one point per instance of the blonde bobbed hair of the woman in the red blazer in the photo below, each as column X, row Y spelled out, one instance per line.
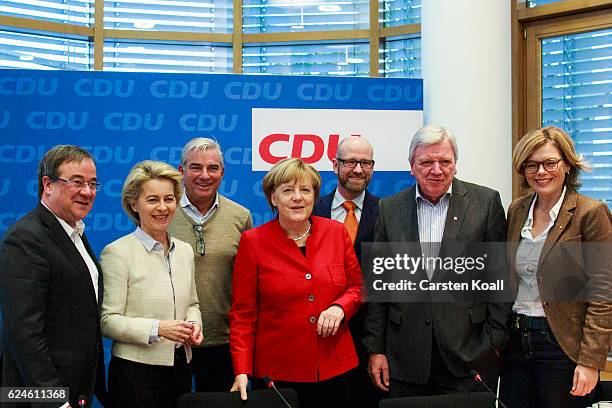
column 287, row 171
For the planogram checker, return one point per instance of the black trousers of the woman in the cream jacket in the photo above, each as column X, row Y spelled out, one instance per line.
column 136, row 385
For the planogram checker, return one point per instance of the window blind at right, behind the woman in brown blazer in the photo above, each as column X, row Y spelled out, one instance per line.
column 577, row 97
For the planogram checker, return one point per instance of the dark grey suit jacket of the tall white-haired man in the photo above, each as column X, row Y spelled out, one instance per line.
column 466, row 333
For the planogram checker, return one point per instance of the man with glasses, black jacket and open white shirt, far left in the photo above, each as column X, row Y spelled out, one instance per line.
column 51, row 286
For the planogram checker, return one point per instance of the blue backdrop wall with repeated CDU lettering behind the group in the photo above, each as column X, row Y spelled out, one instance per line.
column 122, row 118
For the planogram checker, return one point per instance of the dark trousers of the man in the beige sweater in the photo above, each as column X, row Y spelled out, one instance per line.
column 212, row 367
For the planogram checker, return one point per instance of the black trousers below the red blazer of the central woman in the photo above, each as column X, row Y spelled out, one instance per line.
column 331, row 393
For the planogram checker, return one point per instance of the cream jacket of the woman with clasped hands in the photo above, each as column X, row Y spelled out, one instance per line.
column 139, row 290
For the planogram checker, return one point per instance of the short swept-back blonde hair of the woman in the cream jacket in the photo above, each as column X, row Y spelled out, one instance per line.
column 141, row 173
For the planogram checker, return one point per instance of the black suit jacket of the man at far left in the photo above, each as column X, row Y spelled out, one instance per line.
column 51, row 331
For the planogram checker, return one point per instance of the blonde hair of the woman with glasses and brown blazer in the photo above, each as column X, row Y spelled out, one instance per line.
column 537, row 138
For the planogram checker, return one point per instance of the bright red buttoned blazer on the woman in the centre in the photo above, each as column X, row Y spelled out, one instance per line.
column 278, row 295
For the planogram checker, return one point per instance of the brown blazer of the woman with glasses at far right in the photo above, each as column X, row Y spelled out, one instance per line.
column 579, row 241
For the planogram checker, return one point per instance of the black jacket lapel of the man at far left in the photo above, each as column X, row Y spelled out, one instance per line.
column 69, row 250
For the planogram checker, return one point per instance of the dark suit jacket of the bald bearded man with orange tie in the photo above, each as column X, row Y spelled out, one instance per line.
column 365, row 232
